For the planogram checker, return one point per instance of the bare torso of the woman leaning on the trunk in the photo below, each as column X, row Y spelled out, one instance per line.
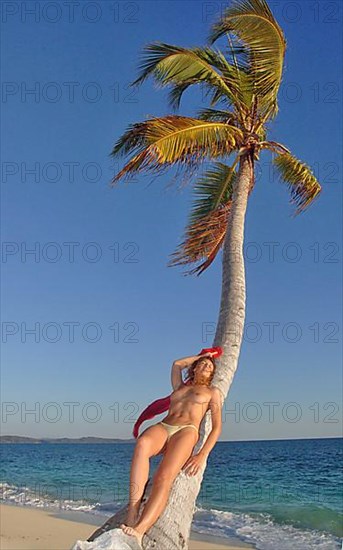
column 188, row 405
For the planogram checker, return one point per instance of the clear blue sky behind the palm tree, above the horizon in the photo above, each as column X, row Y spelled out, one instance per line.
column 110, row 316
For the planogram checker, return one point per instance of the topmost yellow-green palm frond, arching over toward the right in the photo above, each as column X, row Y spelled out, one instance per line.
column 254, row 24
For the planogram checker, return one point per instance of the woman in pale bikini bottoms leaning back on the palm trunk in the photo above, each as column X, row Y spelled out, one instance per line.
column 175, row 436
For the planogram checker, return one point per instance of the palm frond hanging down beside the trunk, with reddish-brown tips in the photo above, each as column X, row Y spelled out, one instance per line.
column 208, row 220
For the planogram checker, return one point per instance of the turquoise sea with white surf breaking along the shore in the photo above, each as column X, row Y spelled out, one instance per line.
column 283, row 494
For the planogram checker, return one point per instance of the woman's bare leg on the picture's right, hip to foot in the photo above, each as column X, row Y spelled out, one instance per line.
column 179, row 449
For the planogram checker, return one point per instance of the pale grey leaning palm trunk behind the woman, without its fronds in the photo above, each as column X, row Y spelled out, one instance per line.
column 172, row 529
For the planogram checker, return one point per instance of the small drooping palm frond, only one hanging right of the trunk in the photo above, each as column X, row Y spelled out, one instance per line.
column 300, row 179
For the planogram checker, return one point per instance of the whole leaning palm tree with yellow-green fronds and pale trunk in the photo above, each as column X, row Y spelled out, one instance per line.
column 243, row 85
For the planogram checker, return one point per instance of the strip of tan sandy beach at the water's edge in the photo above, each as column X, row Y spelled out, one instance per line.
column 31, row 529
